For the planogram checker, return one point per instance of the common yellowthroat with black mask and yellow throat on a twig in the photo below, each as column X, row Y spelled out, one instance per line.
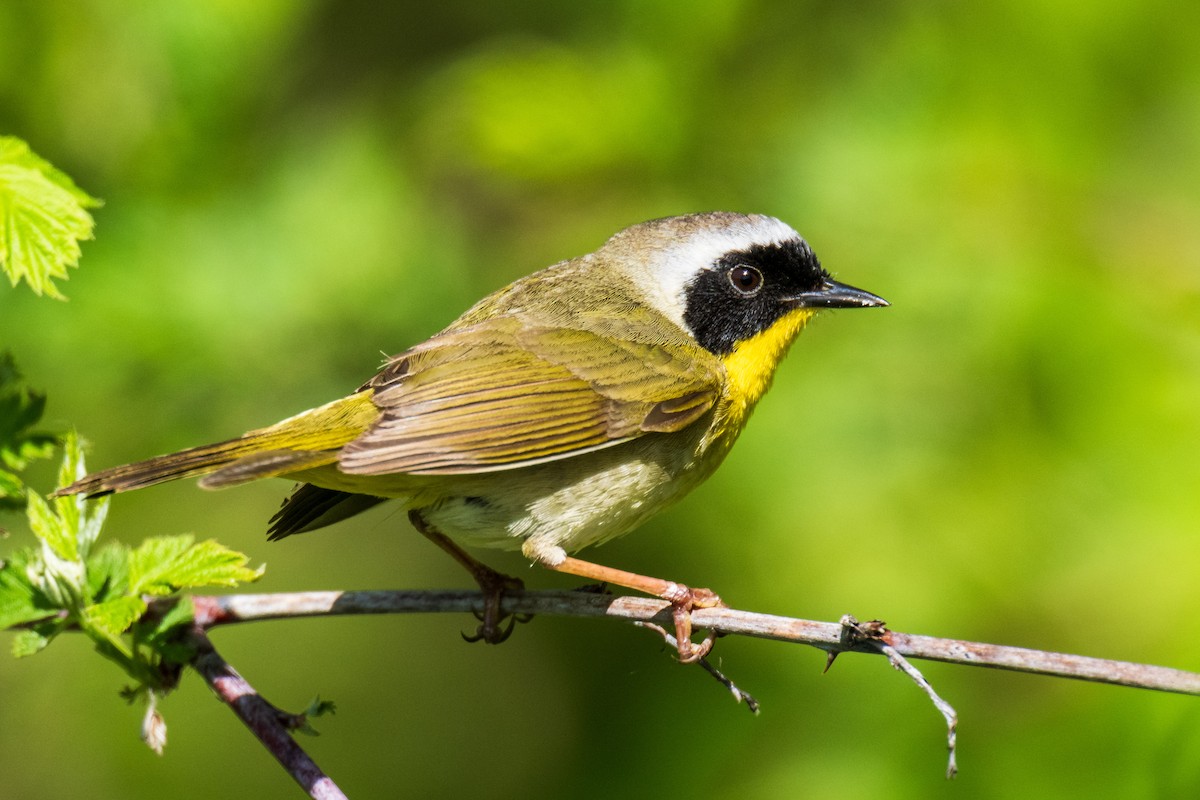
column 561, row 412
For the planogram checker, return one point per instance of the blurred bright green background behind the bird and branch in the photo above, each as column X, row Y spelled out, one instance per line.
column 1009, row 454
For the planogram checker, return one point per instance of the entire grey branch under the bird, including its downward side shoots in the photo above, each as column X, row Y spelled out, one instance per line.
column 274, row 727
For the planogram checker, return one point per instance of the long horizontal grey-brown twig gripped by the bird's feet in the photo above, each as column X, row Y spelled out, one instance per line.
column 214, row 611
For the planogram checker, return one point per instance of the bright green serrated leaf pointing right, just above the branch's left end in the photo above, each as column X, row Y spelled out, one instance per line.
column 166, row 564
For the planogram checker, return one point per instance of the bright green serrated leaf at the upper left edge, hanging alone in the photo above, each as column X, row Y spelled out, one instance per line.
column 43, row 219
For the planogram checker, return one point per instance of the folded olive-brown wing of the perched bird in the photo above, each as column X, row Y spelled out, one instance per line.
column 505, row 394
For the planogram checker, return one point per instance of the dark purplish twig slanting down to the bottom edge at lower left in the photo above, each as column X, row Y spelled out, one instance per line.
column 272, row 726
